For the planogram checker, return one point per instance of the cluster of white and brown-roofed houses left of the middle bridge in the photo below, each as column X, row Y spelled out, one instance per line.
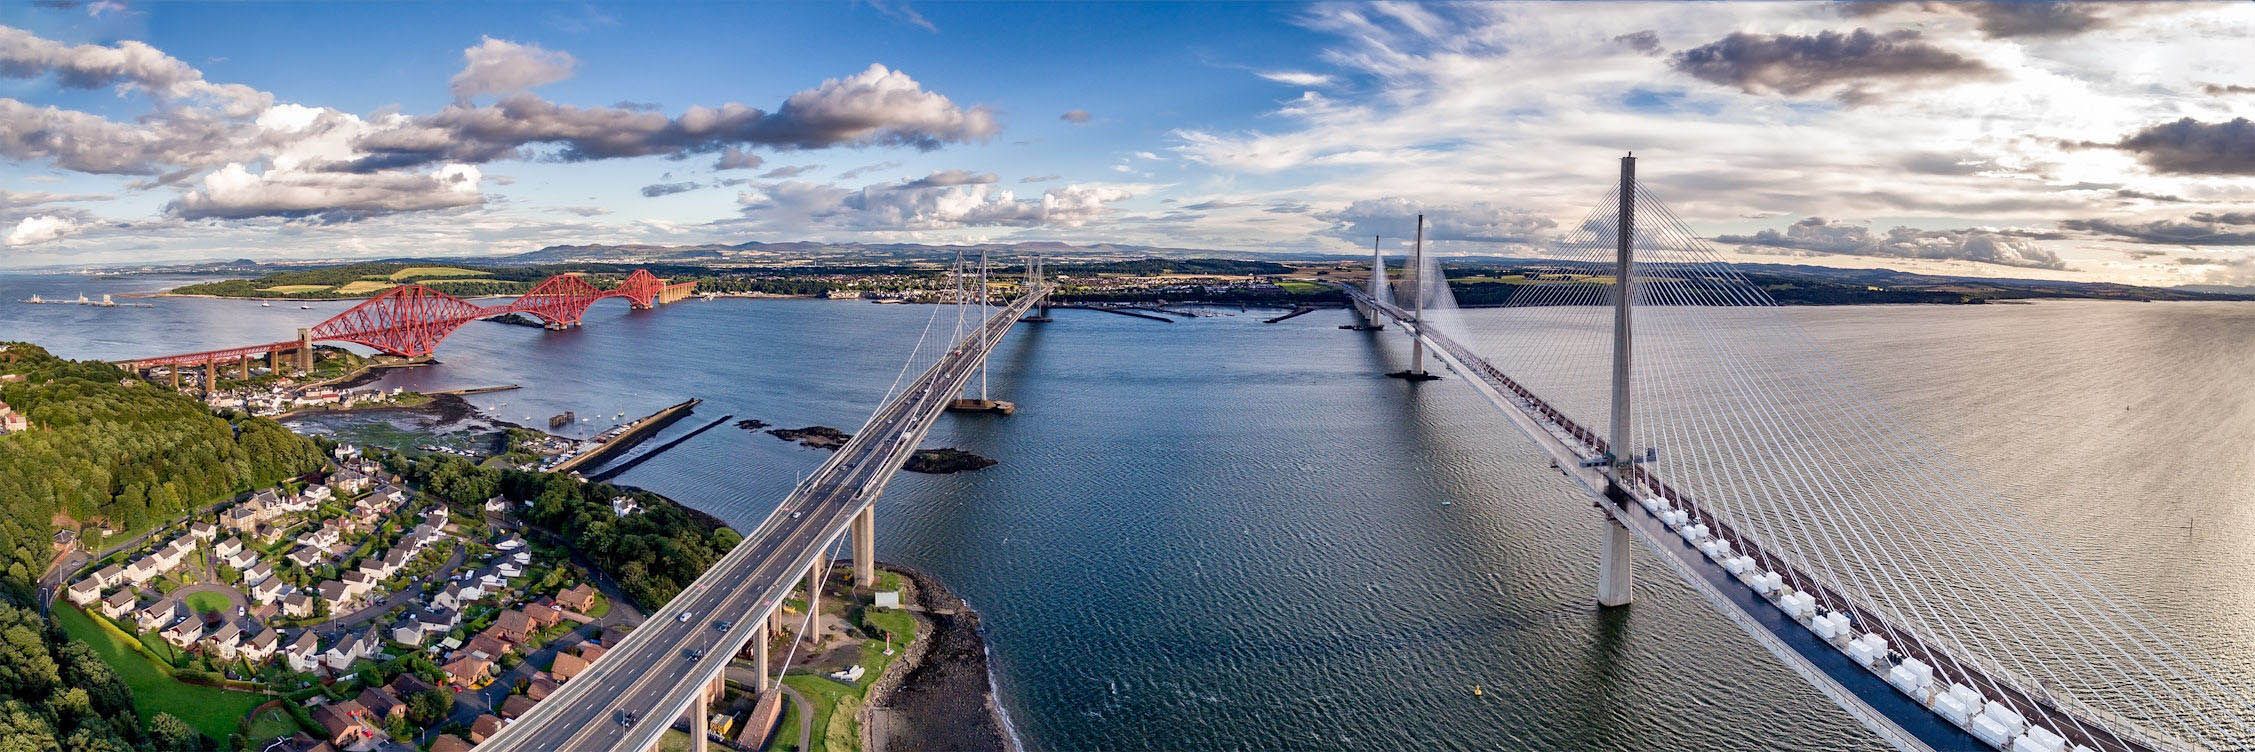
column 317, row 584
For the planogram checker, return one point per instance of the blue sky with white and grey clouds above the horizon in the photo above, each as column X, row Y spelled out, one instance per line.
column 2062, row 141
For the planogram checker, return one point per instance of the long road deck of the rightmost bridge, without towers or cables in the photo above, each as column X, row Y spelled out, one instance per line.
column 1816, row 658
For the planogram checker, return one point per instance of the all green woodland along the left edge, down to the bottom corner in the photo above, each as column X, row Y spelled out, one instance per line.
column 103, row 446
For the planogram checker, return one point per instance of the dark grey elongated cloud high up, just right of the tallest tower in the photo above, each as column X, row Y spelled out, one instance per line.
column 1794, row 64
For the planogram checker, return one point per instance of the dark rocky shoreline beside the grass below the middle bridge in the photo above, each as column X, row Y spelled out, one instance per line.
column 939, row 694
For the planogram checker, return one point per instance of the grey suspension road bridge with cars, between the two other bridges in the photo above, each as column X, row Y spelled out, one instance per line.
column 675, row 663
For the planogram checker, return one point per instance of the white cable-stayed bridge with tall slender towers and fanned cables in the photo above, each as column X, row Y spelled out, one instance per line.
column 1839, row 539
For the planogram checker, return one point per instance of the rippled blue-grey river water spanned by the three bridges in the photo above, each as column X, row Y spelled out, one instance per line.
column 1235, row 536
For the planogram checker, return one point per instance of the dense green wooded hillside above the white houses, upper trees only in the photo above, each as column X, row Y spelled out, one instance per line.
column 107, row 446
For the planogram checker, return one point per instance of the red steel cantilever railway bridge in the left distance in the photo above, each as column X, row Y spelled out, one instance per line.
column 414, row 320
